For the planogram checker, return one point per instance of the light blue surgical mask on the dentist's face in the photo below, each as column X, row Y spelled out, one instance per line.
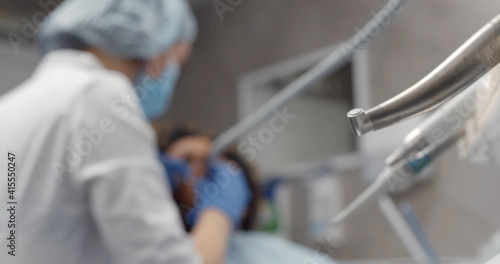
column 155, row 94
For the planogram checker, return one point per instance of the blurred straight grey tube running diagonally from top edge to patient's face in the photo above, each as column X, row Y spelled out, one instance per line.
column 331, row 63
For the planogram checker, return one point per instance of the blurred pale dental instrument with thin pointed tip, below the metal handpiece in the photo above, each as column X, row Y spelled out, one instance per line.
column 420, row 148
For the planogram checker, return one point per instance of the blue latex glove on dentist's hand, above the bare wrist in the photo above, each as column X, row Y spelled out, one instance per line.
column 225, row 188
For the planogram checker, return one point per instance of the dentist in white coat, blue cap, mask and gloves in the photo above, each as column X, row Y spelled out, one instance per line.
column 84, row 183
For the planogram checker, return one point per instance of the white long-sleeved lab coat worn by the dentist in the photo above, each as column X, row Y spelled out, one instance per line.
column 89, row 188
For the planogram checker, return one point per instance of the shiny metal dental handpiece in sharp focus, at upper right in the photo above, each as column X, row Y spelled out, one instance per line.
column 472, row 60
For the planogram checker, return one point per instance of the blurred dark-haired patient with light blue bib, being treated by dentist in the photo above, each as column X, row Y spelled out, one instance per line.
column 191, row 144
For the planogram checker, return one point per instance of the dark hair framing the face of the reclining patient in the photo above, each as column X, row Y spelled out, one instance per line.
column 168, row 134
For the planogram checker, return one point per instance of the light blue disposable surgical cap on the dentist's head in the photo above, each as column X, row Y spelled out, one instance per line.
column 138, row 29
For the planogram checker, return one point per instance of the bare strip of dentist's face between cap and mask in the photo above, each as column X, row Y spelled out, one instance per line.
column 180, row 52
